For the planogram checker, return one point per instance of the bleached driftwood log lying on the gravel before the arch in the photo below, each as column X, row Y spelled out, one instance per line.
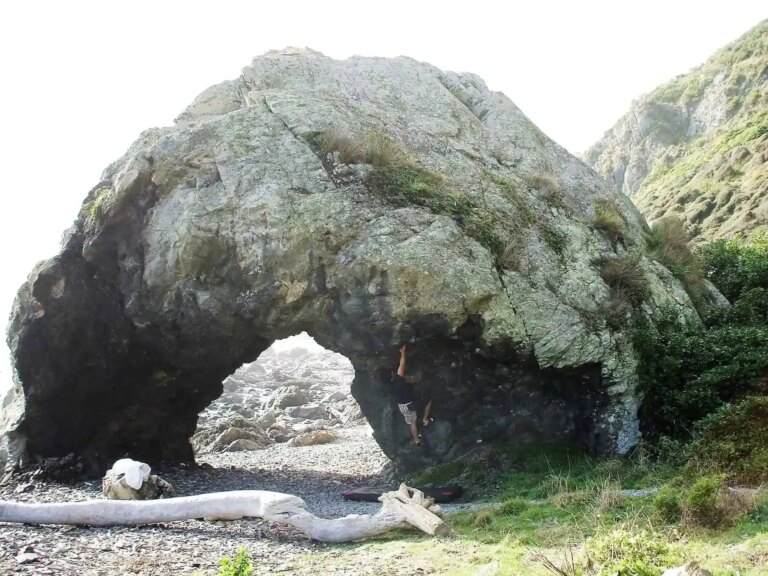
column 401, row 508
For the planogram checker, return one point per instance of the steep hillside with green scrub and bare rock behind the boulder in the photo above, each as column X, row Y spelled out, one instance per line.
column 697, row 146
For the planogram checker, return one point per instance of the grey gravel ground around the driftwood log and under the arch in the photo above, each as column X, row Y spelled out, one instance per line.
column 318, row 474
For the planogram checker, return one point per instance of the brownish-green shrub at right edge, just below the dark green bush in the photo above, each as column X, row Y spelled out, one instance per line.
column 734, row 440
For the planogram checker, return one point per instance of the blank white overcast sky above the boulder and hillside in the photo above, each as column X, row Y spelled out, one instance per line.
column 81, row 80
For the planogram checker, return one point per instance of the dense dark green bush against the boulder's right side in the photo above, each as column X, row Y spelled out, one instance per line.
column 689, row 371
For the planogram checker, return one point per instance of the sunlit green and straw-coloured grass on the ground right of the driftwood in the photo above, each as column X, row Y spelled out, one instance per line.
column 585, row 525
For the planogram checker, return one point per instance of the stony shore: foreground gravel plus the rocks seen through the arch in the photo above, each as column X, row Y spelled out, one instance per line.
column 317, row 473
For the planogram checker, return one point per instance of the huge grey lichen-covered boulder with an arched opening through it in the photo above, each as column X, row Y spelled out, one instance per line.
column 466, row 233
